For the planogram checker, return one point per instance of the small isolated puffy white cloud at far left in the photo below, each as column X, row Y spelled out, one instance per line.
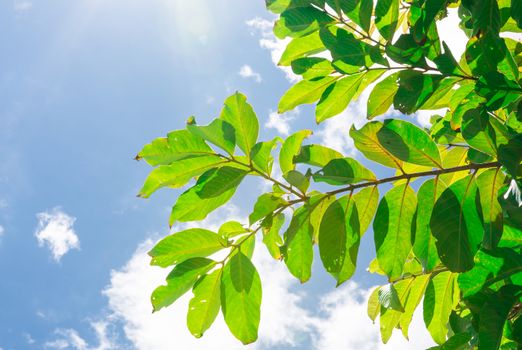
column 55, row 230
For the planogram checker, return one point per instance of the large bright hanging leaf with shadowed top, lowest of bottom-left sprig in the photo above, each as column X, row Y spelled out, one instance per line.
column 241, row 297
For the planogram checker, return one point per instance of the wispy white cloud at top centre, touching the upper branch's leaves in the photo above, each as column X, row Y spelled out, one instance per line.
column 269, row 42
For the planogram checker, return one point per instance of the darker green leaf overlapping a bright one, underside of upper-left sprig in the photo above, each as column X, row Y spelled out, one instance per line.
column 220, row 181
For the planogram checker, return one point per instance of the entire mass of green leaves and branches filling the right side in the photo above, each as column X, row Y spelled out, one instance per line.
column 453, row 242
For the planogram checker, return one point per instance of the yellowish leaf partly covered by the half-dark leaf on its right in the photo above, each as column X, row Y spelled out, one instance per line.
column 366, row 141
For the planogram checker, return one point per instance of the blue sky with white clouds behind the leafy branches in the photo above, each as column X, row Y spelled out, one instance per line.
column 84, row 85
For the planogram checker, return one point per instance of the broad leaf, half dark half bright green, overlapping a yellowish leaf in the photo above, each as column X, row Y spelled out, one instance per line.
column 409, row 143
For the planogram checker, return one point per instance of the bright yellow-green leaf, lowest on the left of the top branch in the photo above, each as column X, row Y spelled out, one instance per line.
column 305, row 91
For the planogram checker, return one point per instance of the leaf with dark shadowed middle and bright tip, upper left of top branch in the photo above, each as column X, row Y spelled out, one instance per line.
column 300, row 21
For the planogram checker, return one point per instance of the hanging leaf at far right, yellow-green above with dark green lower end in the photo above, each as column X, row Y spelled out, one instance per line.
column 489, row 183
